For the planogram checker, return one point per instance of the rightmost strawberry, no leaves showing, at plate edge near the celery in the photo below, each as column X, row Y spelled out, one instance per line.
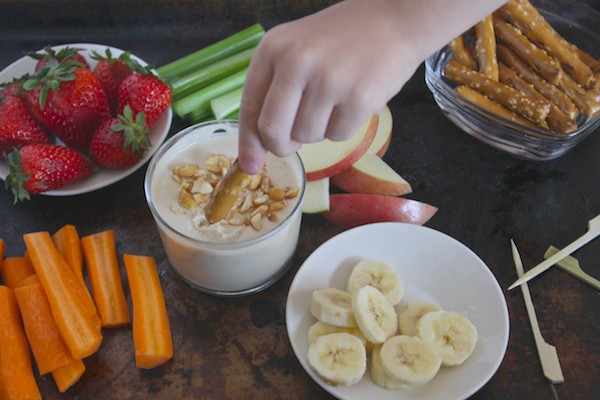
column 145, row 93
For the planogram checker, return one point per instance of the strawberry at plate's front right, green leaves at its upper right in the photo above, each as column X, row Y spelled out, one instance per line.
column 120, row 142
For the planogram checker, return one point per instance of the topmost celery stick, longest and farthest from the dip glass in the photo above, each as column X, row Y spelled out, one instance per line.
column 235, row 43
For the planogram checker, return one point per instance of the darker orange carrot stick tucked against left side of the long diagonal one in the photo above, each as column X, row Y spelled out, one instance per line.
column 49, row 349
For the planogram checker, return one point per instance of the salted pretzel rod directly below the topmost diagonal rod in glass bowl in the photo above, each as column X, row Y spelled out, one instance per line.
column 547, row 66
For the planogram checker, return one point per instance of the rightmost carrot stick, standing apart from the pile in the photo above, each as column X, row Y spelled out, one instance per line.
column 151, row 329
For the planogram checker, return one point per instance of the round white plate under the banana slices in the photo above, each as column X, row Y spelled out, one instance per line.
column 434, row 268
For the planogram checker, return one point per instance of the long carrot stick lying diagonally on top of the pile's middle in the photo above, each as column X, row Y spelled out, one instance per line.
column 74, row 319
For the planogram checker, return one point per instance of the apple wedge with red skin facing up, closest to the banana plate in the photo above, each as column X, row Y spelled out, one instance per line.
column 349, row 210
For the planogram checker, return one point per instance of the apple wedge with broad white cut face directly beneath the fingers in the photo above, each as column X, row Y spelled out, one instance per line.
column 326, row 158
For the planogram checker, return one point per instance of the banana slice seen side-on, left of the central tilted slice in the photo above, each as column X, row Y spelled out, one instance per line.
column 333, row 306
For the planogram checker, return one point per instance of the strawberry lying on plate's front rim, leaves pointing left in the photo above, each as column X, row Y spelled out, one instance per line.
column 37, row 168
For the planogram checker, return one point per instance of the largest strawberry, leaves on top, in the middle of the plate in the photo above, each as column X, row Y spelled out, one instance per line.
column 68, row 100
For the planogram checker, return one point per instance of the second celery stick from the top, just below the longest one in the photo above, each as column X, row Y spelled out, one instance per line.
column 212, row 73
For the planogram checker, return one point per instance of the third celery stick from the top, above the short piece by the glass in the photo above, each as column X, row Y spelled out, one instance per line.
column 197, row 104
